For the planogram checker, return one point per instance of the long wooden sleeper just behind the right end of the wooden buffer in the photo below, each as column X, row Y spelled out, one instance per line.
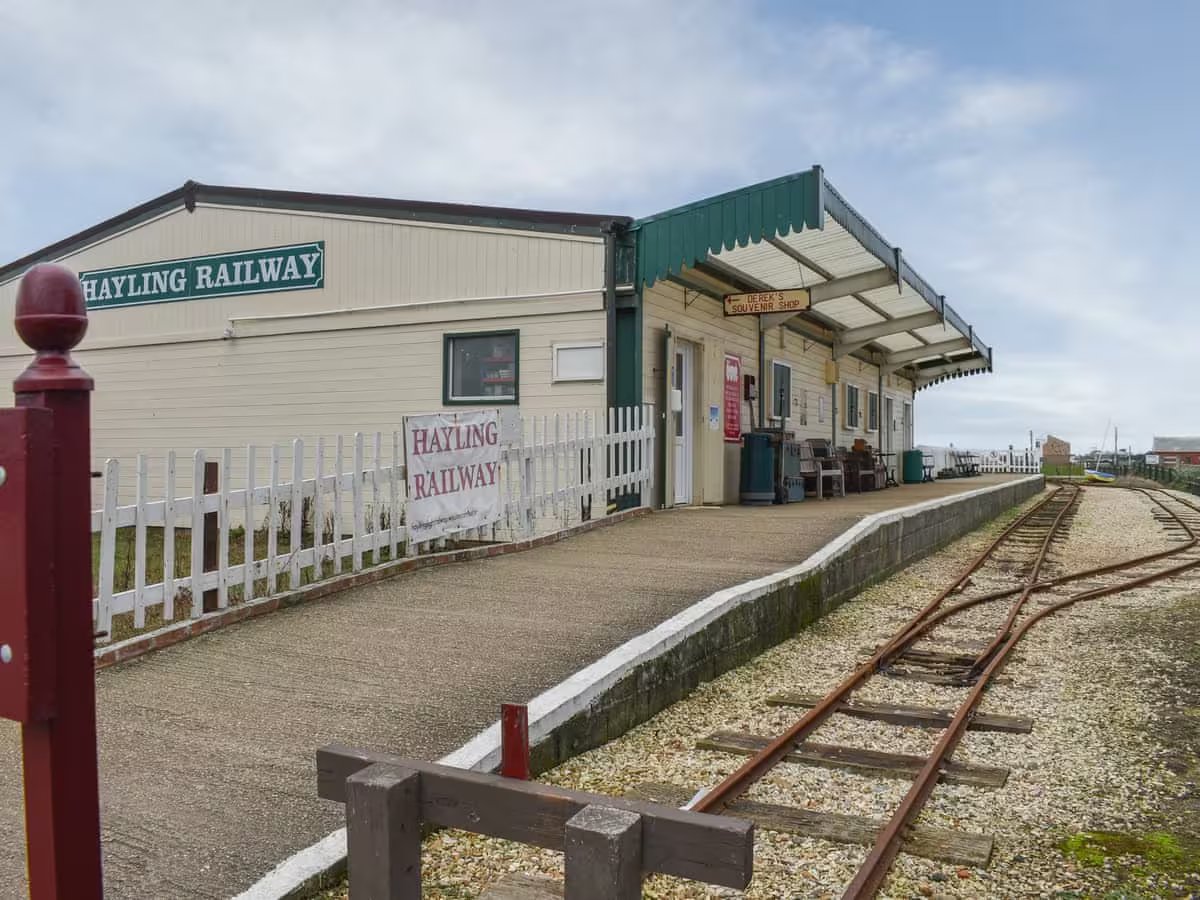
column 926, row 842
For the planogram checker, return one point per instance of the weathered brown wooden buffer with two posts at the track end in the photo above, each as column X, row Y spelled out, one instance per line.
column 610, row 843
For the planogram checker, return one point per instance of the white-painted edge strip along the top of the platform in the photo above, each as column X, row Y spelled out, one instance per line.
column 554, row 707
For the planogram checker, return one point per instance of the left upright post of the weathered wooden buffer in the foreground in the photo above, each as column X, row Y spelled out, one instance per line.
column 383, row 831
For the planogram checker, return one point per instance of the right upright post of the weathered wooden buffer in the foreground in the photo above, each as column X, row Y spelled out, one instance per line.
column 603, row 855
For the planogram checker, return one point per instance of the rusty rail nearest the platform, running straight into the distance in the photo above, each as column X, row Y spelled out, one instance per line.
column 759, row 765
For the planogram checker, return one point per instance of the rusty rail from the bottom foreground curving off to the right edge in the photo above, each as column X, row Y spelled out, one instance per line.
column 875, row 868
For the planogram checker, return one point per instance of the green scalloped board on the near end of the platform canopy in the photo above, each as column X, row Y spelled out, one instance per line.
column 669, row 242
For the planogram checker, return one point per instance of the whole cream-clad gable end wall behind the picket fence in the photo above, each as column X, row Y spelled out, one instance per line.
column 344, row 361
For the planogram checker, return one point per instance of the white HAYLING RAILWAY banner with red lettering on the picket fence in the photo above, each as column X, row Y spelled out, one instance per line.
column 454, row 472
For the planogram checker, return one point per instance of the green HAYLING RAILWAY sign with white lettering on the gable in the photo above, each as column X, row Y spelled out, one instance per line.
column 301, row 267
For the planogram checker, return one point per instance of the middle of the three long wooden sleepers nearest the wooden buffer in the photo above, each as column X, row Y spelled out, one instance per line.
column 859, row 760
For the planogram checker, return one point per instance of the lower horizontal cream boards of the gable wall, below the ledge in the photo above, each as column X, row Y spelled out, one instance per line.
column 304, row 386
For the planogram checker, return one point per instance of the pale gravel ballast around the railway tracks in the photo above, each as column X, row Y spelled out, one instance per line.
column 1096, row 680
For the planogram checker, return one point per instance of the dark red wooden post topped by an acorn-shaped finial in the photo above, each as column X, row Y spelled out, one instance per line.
column 62, row 782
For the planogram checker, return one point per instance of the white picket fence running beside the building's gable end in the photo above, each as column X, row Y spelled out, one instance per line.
column 346, row 503
